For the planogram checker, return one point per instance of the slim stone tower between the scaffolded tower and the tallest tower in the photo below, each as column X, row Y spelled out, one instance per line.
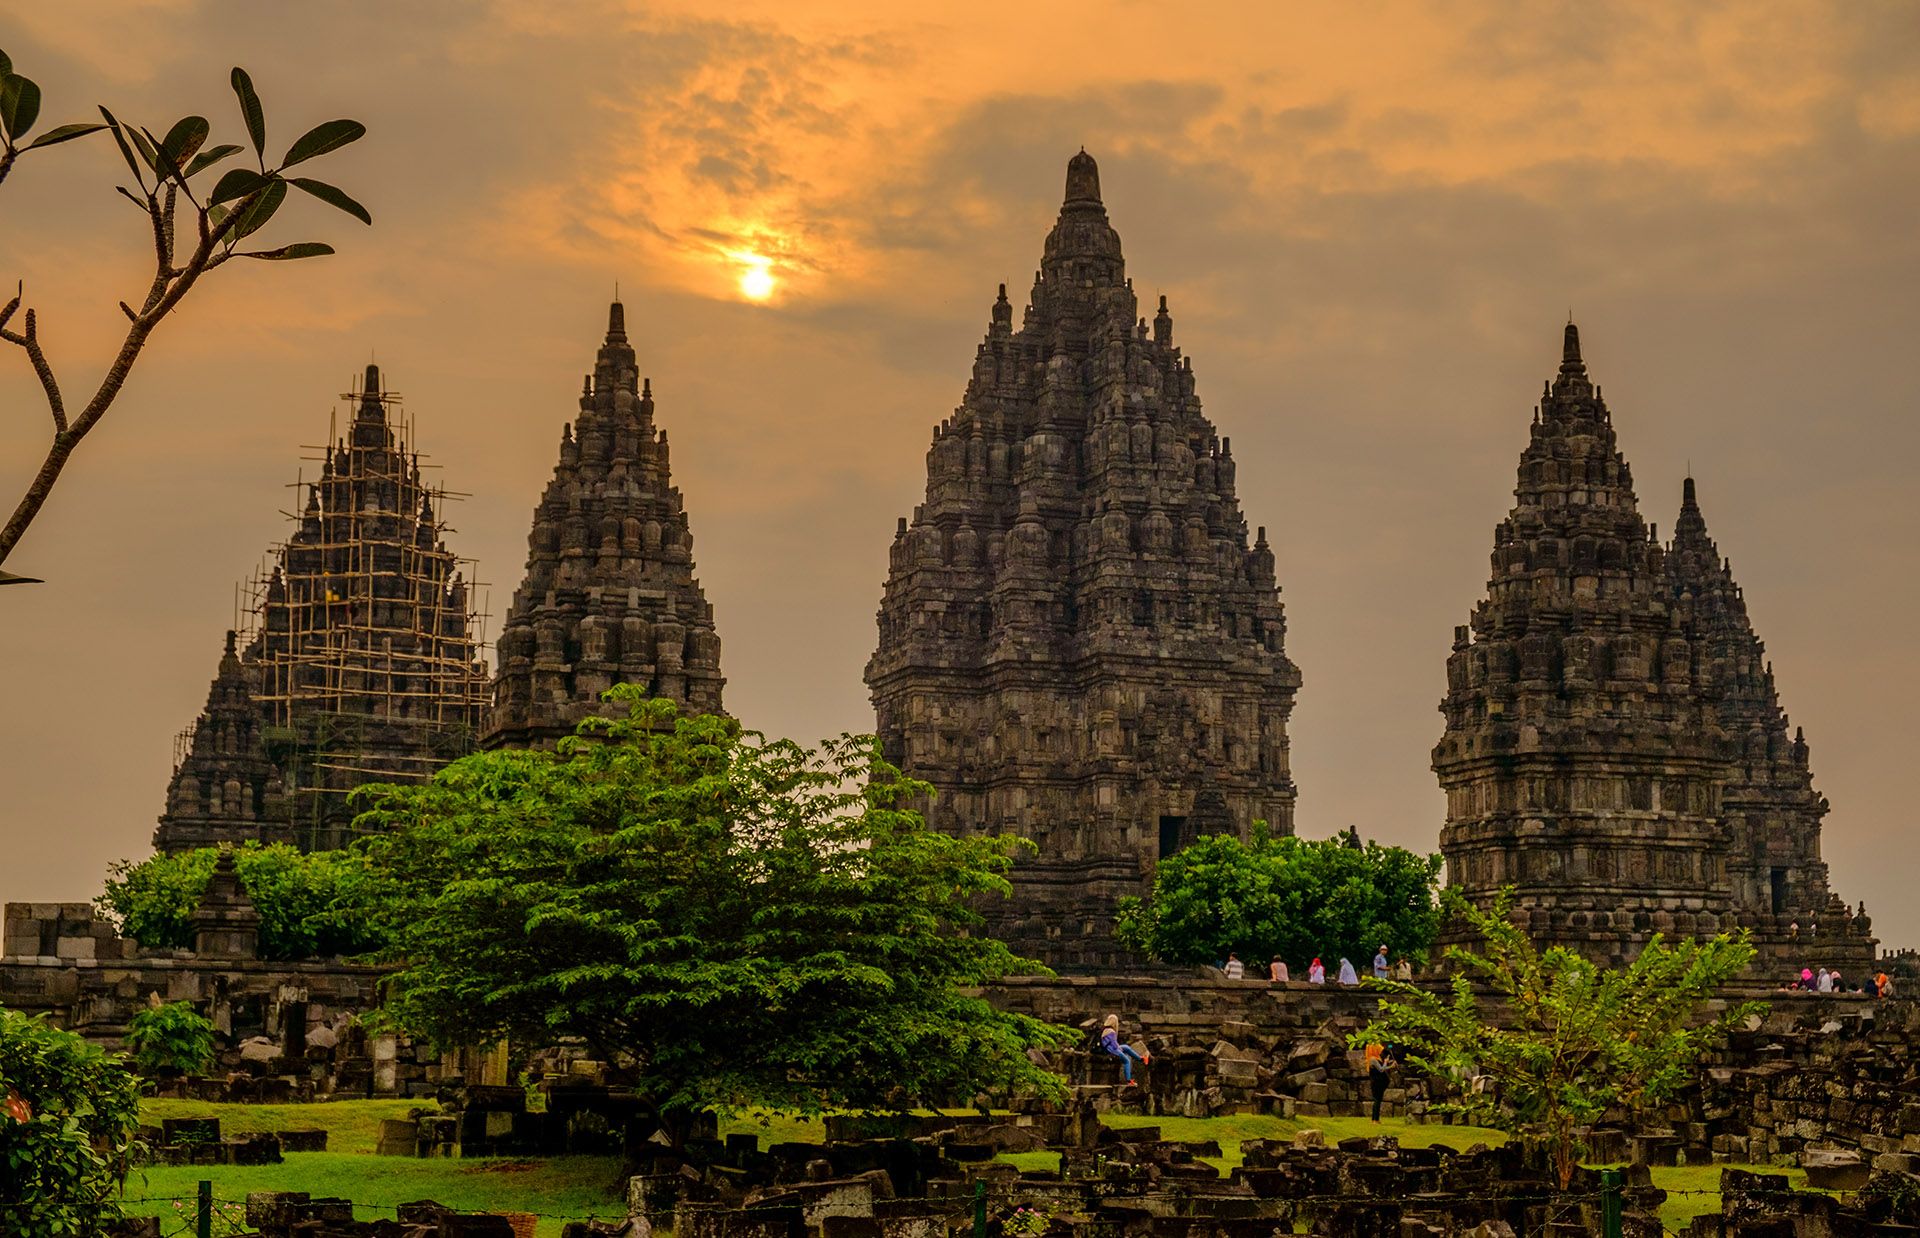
column 610, row 594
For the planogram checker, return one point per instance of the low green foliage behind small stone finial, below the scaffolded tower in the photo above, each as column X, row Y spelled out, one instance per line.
column 310, row 905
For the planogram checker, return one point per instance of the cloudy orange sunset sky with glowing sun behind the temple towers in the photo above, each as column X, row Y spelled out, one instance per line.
column 1370, row 222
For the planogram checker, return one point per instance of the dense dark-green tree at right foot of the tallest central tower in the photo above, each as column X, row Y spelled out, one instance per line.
column 1284, row 897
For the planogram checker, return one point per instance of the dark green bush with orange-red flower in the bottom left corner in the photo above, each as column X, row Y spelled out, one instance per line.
column 68, row 1122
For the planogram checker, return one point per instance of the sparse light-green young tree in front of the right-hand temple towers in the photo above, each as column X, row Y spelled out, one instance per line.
column 1570, row 1043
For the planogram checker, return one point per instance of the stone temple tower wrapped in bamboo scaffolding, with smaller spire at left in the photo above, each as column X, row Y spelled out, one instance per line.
column 362, row 661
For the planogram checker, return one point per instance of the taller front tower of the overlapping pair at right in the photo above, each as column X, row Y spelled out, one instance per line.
column 1583, row 763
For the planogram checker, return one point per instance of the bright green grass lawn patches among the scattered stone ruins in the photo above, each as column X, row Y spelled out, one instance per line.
column 592, row 1187
